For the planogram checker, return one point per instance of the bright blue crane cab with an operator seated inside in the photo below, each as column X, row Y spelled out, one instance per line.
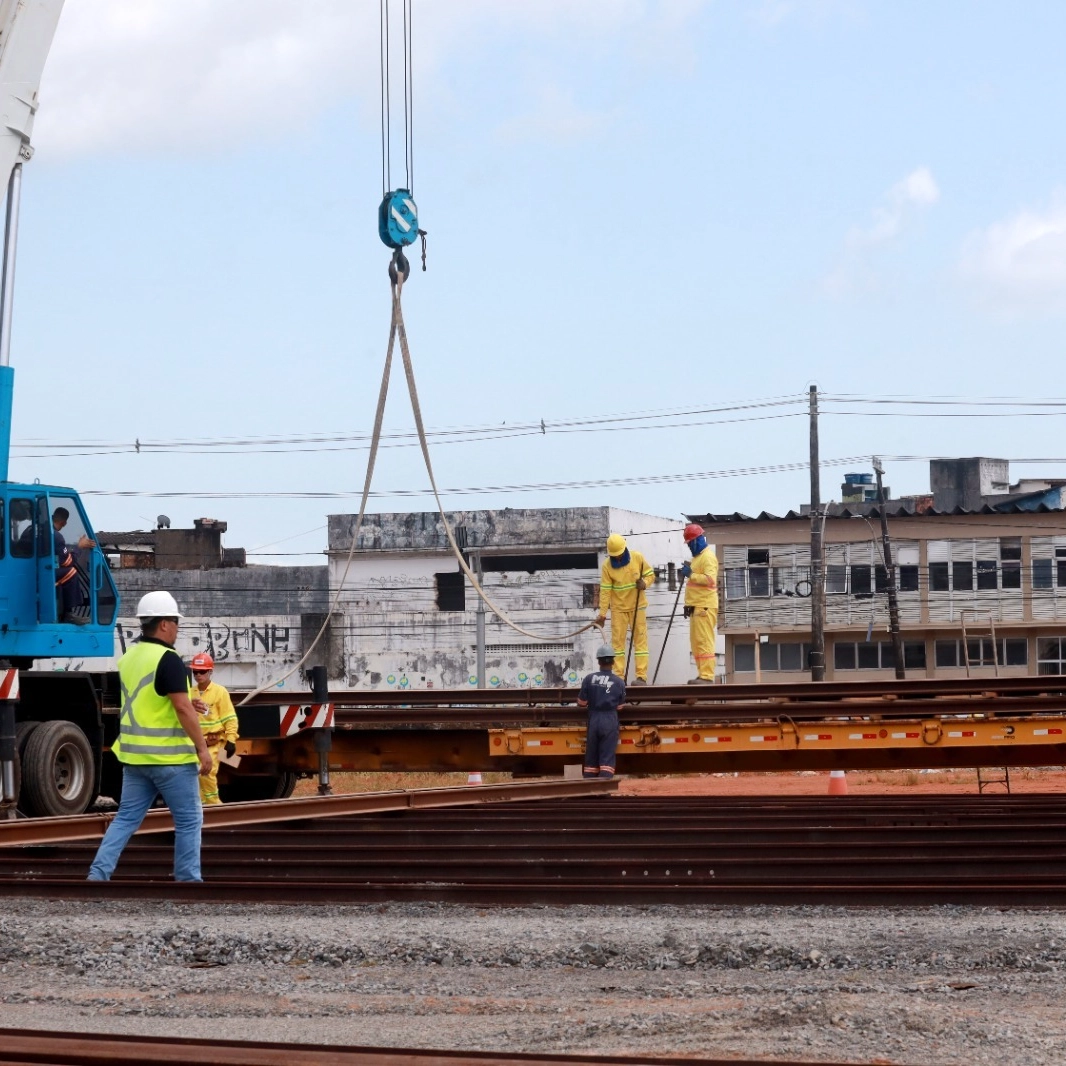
column 40, row 525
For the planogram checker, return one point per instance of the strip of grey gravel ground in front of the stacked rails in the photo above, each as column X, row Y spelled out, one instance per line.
column 932, row 986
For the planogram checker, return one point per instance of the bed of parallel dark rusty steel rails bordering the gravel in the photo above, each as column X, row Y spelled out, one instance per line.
column 884, row 850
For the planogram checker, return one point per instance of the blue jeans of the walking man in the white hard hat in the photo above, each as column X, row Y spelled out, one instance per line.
column 180, row 787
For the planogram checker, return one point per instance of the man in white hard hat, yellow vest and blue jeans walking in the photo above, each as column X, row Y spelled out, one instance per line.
column 159, row 745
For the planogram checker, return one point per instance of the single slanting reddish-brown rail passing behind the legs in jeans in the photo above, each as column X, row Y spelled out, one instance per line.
column 51, row 831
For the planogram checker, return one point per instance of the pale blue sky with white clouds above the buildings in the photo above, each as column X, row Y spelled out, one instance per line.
column 634, row 208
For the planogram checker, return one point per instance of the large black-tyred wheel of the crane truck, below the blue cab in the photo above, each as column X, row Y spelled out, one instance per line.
column 58, row 771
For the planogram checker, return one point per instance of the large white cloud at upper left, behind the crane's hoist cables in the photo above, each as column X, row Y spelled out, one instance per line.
column 191, row 75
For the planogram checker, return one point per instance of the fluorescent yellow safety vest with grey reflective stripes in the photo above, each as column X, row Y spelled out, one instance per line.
column 150, row 730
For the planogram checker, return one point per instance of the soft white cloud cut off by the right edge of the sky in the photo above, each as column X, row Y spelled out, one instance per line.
column 1021, row 263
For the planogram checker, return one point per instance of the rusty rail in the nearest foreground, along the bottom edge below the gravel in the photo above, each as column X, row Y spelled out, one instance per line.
column 21, row 1047
